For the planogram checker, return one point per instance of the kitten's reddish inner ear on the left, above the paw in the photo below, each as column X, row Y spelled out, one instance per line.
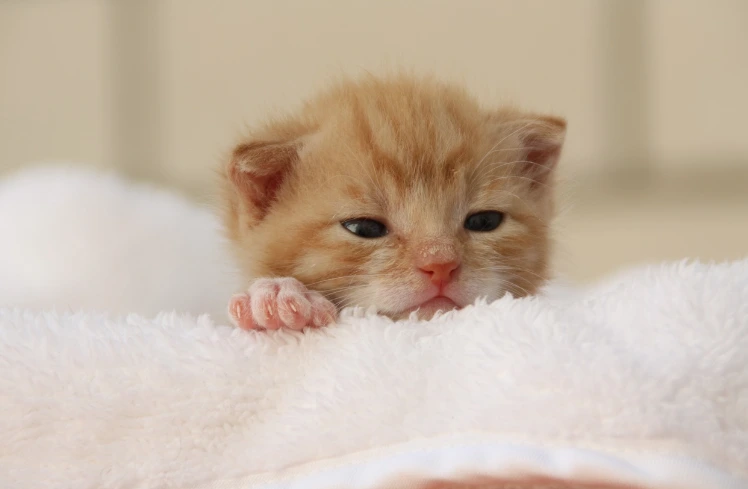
column 257, row 170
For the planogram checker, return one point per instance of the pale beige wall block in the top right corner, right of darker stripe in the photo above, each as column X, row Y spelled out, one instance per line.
column 699, row 69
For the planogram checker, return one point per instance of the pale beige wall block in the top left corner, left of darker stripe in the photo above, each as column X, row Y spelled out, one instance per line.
column 55, row 94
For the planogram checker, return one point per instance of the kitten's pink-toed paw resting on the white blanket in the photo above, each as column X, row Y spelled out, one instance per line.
column 274, row 303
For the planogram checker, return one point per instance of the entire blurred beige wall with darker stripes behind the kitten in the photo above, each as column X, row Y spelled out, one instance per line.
column 656, row 165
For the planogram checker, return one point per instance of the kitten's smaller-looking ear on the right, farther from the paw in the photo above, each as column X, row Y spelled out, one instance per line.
column 542, row 138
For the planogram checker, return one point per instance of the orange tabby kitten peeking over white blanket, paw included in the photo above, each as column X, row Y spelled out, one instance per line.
column 399, row 193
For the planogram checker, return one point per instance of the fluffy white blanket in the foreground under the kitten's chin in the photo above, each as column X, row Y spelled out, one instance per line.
column 641, row 382
